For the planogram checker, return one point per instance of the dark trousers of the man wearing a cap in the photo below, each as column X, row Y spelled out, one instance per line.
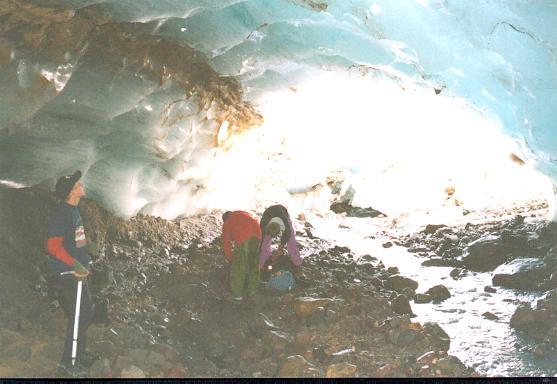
column 66, row 292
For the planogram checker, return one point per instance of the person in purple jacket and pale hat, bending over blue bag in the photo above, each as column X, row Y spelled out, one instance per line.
column 276, row 222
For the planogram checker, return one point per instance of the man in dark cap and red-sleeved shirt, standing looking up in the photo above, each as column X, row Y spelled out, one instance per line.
column 67, row 252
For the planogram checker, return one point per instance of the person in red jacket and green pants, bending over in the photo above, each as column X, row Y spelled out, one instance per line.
column 242, row 229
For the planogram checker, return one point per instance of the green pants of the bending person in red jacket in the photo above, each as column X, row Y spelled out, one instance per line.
column 244, row 271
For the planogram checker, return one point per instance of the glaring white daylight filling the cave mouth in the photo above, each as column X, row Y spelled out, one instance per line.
column 404, row 146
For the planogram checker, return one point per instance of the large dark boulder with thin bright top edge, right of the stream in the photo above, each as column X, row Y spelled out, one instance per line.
column 486, row 254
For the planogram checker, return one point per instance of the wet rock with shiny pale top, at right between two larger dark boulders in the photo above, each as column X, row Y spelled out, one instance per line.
column 521, row 274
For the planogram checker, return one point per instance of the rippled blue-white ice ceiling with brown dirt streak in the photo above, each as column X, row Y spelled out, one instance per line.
column 150, row 97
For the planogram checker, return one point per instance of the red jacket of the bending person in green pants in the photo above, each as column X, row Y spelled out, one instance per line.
column 238, row 227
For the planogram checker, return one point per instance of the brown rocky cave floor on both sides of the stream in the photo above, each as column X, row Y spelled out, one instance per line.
column 168, row 317
